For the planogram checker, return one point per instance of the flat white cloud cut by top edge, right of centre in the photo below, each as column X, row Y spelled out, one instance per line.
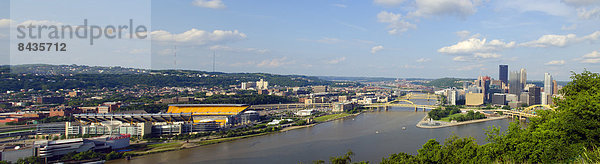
column 460, row 8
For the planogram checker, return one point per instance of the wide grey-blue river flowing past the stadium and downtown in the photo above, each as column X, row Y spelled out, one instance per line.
column 370, row 136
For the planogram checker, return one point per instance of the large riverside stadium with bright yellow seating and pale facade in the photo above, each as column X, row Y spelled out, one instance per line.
column 179, row 119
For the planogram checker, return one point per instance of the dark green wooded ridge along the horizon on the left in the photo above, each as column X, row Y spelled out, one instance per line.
column 174, row 78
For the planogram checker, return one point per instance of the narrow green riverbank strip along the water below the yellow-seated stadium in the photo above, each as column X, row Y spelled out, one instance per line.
column 180, row 145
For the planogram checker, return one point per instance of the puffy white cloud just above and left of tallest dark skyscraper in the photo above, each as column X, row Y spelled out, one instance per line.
column 473, row 45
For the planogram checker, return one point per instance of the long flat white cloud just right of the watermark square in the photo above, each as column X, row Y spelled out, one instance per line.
column 198, row 37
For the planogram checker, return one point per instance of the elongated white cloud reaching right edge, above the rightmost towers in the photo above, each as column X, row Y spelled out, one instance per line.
column 560, row 40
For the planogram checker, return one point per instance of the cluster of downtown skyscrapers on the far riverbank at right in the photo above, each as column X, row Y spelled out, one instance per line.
column 511, row 88
